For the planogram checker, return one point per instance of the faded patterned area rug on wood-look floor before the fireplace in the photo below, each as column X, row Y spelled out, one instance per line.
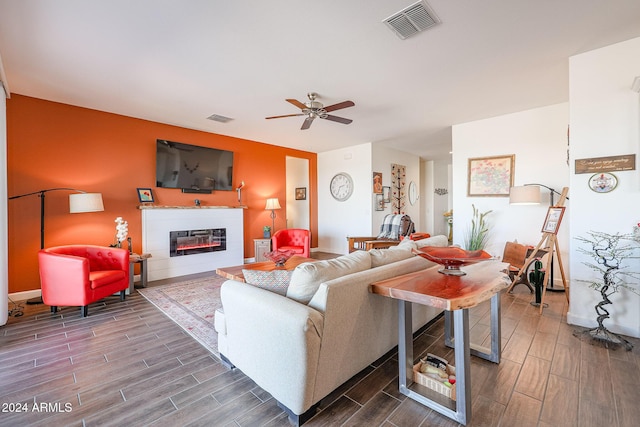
column 191, row 304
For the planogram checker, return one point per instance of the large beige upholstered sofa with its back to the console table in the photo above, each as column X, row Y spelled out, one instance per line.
column 302, row 346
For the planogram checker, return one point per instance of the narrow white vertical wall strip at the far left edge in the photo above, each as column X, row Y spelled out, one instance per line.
column 4, row 262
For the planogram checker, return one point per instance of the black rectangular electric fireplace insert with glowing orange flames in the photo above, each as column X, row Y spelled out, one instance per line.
column 190, row 242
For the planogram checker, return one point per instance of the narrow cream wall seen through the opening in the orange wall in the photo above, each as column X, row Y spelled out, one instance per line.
column 297, row 211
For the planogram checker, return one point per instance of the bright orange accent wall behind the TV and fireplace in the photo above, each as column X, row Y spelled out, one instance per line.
column 53, row 145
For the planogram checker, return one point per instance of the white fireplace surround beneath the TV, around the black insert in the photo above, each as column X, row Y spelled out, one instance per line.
column 159, row 221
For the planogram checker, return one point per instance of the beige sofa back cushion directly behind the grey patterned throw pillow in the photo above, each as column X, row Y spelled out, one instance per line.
column 308, row 276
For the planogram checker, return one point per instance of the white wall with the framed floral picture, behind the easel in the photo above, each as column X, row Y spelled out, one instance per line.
column 538, row 138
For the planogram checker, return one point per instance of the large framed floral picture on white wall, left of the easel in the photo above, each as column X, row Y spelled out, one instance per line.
column 490, row 176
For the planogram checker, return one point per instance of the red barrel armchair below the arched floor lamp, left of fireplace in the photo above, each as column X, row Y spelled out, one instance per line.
column 77, row 275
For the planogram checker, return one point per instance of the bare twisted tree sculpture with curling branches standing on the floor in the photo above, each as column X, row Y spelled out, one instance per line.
column 610, row 252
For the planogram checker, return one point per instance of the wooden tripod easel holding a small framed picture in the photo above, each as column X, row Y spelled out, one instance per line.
column 549, row 241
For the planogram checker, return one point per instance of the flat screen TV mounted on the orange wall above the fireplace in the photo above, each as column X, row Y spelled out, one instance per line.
column 193, row 168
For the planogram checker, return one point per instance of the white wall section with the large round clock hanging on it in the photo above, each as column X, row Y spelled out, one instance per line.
column 337, row 220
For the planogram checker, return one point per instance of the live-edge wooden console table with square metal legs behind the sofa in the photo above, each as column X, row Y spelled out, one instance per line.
column 455, row 295
